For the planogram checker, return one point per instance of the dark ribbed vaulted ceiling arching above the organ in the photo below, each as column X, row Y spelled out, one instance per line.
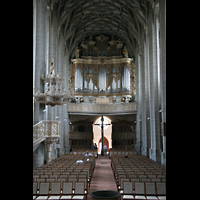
column 78, row 19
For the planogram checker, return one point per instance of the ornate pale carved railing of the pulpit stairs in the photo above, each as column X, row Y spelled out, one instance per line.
column 45, row 128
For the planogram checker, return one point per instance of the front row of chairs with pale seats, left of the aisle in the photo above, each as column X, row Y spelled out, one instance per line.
column 58, row 190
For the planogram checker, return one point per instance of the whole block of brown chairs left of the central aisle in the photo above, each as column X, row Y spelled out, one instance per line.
column 64, row 169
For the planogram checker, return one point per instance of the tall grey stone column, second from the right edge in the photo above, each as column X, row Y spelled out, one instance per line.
column 154, row 151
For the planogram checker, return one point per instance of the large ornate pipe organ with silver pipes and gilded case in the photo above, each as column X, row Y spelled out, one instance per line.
column 102, row 72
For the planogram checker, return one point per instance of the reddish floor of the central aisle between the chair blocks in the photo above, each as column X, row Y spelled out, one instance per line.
column 103, row 178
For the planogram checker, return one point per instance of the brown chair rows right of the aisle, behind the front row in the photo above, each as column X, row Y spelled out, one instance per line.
column 136, row 169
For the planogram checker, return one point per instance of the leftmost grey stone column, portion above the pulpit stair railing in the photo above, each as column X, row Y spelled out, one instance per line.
column 39, row 51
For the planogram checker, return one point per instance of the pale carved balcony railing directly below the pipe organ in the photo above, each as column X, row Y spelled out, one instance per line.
column 121, row 108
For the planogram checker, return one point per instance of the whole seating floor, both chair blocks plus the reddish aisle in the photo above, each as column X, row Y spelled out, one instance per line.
column 136, row 177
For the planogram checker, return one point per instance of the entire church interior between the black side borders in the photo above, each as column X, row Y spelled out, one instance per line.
column 99, row 77
